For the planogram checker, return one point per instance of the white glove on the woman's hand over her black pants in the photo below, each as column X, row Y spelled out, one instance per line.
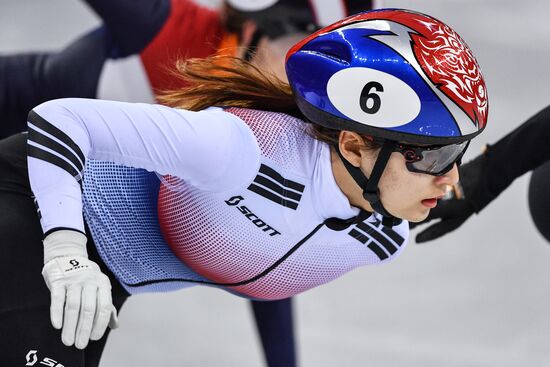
column 81, row 300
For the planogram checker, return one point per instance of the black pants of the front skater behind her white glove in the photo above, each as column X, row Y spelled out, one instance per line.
column 25, row 324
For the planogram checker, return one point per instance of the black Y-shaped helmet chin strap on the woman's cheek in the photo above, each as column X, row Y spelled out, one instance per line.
column 371, row 193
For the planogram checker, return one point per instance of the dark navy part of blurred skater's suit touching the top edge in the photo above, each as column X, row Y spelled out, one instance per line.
column 131, row 23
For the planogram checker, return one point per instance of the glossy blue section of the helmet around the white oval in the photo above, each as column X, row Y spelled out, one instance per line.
column 312, row 67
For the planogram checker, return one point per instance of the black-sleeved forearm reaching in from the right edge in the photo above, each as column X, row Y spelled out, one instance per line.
column 522, row 150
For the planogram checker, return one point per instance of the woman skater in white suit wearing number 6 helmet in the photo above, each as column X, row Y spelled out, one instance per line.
column 275, row 190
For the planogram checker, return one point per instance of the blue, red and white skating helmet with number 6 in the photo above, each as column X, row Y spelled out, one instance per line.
column 393, row 74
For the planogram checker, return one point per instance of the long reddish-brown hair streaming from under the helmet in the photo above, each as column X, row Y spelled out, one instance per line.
column 227, row 81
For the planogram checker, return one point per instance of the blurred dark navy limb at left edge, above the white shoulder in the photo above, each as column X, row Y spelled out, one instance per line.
column 26, row 80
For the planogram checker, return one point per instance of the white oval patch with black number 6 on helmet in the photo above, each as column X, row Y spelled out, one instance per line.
column 373, row 97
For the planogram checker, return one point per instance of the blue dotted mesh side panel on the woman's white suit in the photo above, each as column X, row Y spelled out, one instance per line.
column 120, row 208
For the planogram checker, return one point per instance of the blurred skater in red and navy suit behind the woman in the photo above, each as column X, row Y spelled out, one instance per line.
column 167, row 30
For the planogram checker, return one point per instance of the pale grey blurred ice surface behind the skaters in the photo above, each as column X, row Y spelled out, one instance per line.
column 477, row 297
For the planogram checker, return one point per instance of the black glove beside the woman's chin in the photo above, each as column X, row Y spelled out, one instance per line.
column 459, row 206
